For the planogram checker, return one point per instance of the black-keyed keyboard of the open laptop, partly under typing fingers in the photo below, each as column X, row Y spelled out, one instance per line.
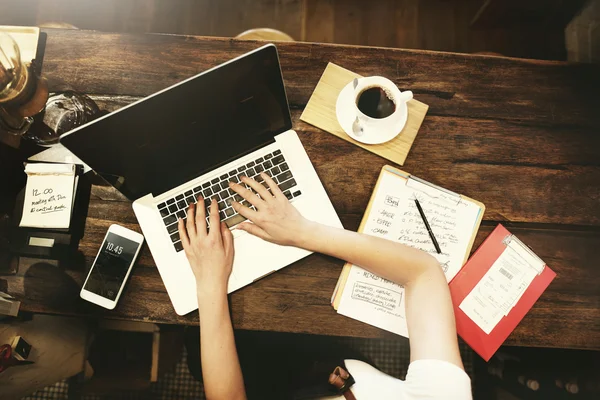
column 273, row 164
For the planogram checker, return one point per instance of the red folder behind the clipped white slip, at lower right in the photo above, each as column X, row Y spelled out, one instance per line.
column 463, row 283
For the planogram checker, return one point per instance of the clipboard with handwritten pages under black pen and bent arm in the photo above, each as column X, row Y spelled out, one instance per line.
column 392, row 214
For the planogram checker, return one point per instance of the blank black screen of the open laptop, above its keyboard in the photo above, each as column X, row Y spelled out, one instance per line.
column 178, row 134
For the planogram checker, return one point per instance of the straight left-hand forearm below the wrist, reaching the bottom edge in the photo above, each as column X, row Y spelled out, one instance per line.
column 220, row 364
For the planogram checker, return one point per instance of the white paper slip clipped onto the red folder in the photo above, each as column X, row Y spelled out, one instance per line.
column 502, row 286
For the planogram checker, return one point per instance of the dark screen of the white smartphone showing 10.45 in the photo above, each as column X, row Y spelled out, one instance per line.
column 111, row 266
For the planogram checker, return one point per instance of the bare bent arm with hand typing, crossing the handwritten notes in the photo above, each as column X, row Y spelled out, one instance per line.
column 428, row 305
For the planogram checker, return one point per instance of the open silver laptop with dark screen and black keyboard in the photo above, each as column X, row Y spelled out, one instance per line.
column 193, row 138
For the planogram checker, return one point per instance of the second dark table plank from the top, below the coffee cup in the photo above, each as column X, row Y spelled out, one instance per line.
column 508, row 166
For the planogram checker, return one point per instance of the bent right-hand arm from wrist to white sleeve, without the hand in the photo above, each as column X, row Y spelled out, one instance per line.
column 429, row 312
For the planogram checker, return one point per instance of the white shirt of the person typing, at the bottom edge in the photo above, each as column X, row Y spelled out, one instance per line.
column 425, row 380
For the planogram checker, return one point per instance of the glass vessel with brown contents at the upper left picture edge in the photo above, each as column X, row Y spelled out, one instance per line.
column 23, row 93
